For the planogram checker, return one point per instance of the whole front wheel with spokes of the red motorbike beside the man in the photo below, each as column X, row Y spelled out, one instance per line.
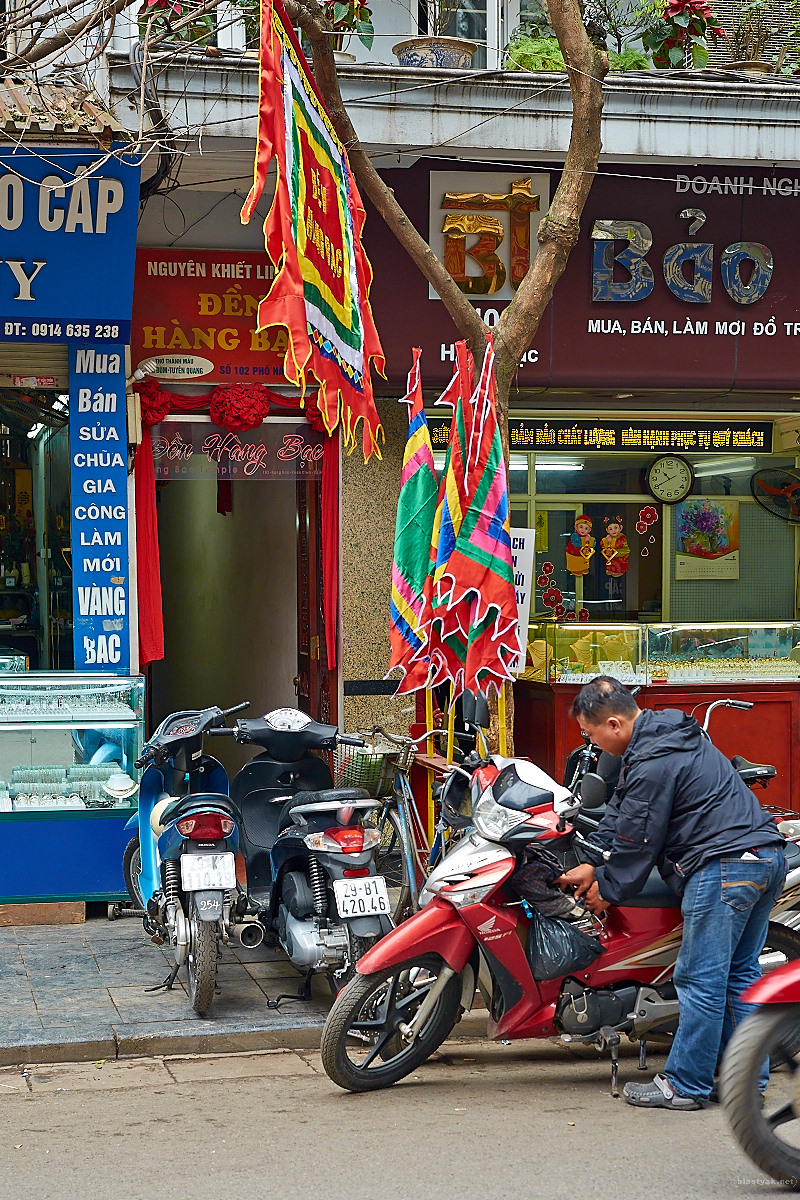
column 363, row 1048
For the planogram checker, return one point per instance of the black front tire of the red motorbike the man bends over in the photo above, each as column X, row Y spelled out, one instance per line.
column 347, row 1006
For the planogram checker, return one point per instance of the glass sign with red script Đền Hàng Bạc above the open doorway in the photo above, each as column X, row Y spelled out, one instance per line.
column 278, row 449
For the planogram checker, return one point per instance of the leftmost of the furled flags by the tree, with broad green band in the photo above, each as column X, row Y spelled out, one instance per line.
column 416, row 511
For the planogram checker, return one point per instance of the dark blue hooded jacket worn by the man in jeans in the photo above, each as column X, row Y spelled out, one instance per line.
column 678, row 805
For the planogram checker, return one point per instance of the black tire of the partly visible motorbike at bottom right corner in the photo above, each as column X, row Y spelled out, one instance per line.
column 742, row 1099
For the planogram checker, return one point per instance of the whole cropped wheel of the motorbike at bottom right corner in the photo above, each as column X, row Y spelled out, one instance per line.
column 759, row 1130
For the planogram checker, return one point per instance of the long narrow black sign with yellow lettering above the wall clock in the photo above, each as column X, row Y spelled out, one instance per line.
column 683, row 437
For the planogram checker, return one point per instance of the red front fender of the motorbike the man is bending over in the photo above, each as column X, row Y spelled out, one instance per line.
column 436, row 929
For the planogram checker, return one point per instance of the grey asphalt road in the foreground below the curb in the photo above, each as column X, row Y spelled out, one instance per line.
column 478, row 1121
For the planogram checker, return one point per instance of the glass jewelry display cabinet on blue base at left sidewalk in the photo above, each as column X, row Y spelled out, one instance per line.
column 68, row 783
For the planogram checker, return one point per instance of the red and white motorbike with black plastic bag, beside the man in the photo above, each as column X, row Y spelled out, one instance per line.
column 474, row 934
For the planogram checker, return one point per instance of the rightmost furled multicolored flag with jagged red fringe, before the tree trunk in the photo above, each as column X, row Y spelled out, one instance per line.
column 473, row 639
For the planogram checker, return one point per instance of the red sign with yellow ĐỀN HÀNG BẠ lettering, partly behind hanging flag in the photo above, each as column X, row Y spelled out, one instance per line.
column 195, row 316
